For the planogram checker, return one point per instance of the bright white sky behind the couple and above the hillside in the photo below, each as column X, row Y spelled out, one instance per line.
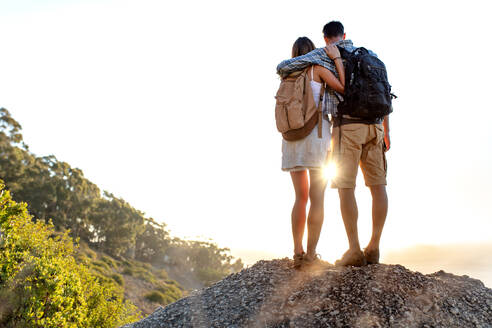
column 170, row 106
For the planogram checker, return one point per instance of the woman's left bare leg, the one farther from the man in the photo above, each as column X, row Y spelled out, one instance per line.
column 301, row 187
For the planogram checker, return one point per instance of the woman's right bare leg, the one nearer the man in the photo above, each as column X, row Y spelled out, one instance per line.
column 316, row 210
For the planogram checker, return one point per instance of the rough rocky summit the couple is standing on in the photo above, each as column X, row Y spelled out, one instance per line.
column 273, row 294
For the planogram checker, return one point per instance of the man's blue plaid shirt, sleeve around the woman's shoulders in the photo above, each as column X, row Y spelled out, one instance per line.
column 317, row 57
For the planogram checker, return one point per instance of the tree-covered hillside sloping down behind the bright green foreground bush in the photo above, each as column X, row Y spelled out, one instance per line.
column 135, row 255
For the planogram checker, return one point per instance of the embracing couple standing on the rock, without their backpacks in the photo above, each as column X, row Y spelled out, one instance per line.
column 352, row 141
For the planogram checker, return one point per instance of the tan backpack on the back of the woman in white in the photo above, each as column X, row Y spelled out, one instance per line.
column 296, row 114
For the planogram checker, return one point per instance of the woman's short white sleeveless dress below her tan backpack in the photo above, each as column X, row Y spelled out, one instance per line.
column 309, row 152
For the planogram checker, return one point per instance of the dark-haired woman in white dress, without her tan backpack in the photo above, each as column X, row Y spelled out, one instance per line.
column 309, row 154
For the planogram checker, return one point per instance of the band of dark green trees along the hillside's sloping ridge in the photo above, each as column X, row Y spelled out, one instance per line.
column 55, row 191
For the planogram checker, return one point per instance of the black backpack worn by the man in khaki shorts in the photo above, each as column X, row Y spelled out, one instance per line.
column 367, row 91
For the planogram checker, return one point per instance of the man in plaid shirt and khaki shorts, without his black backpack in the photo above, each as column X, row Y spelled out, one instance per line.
column 355, row 142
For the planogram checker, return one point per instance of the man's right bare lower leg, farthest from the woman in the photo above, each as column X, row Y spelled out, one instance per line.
column 379, row 212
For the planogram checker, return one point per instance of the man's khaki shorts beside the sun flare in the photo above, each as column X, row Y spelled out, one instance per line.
column 361, row 144
